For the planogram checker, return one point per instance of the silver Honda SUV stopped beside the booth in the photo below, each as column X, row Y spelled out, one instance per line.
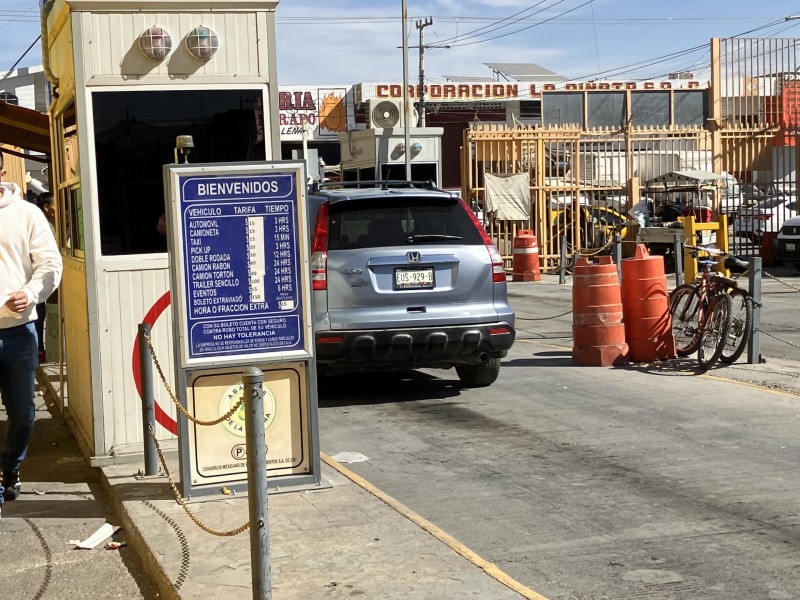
column 404, row 276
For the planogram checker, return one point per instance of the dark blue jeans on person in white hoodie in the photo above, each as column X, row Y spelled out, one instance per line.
column 19, row 358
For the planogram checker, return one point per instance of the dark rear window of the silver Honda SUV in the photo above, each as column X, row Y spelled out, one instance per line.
column 381, row 222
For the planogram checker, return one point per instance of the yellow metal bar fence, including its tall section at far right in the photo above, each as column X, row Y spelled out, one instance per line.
column 582, row 183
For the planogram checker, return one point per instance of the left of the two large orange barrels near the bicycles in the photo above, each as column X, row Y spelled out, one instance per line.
column 598, row 334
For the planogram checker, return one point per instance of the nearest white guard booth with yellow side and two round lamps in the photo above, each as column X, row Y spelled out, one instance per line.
column 127, row 79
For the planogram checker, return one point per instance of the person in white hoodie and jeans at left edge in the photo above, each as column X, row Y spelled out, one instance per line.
column 30, row 270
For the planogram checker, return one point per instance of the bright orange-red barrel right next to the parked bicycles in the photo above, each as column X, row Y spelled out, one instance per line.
column 645, row 307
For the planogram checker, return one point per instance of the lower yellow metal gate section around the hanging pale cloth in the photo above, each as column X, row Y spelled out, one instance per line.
column 582, row 183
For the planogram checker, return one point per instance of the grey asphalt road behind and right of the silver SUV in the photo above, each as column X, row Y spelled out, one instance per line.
column 589, row 483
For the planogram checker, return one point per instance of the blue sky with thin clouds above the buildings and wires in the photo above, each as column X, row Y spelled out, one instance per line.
column 350, row 41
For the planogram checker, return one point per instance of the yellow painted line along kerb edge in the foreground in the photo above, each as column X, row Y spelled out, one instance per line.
column 489, row 568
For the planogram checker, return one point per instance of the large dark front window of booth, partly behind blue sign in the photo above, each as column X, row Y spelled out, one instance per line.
column 135, row 135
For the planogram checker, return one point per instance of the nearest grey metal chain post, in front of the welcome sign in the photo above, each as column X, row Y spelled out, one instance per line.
column 253, row 380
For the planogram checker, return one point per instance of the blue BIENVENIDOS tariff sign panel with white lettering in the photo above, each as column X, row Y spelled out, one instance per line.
column 241, row 264
